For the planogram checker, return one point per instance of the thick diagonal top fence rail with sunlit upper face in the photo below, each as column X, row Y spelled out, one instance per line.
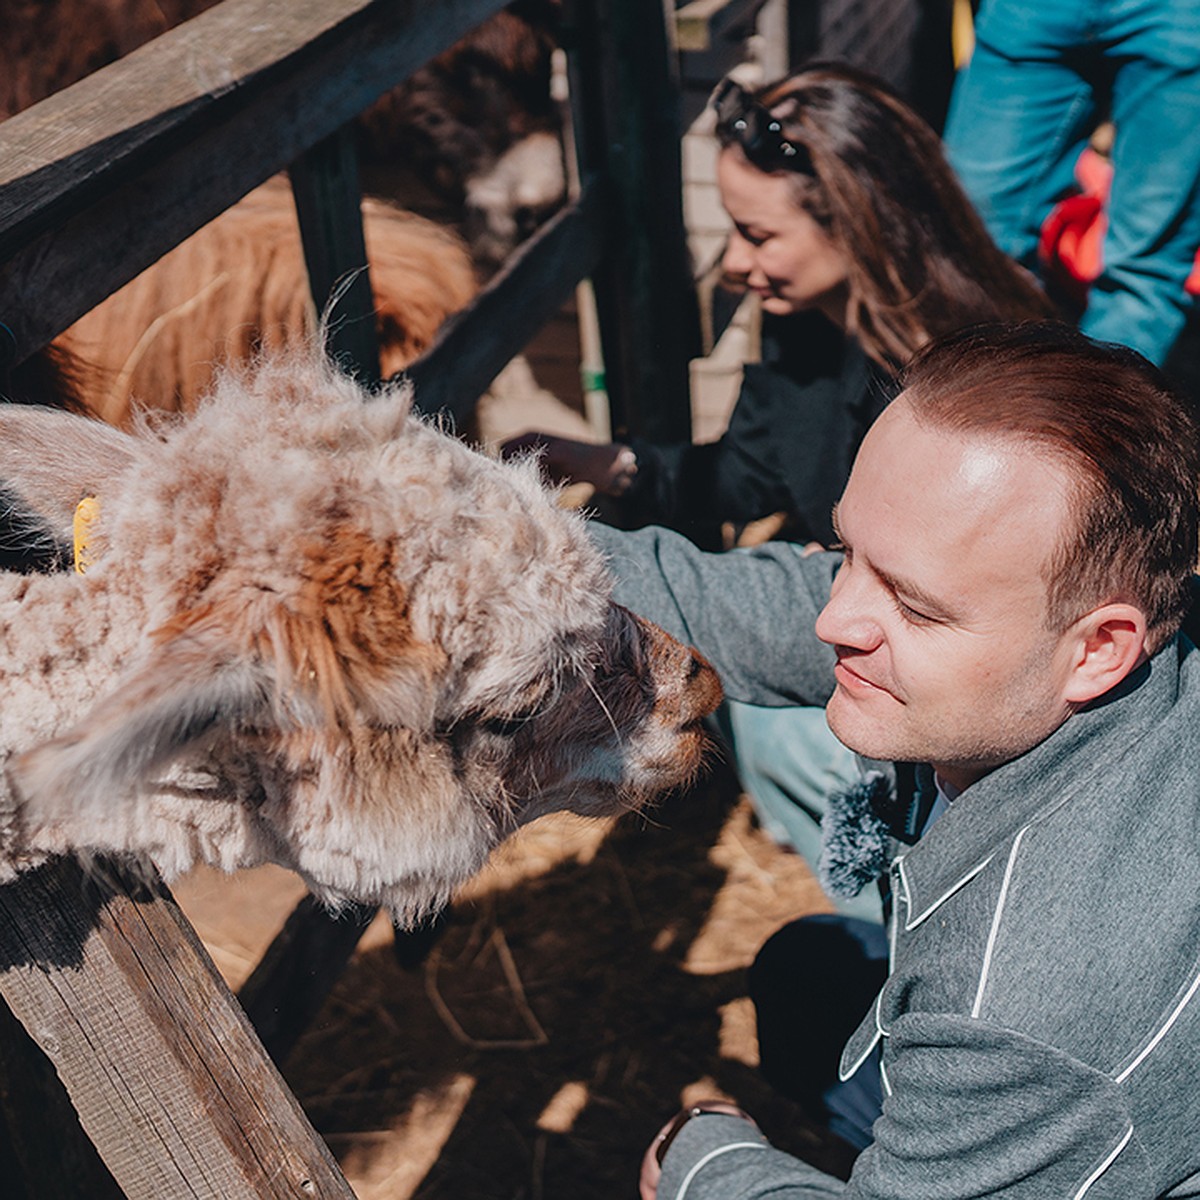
column 117, row 170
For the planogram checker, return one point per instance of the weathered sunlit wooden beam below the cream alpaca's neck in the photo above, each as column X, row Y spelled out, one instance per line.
column 161, row 1065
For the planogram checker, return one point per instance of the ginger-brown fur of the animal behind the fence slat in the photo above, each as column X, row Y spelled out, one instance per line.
column 239, row 286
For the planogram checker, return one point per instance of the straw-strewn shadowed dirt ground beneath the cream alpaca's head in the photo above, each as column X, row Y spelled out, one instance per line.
column 589, row 983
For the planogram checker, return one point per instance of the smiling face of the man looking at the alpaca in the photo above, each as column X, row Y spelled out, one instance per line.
column 939, row 614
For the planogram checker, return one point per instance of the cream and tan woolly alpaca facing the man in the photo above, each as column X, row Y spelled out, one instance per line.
column 319, row 633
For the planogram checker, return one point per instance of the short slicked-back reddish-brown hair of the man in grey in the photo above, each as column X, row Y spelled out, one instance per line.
column 1129, row 436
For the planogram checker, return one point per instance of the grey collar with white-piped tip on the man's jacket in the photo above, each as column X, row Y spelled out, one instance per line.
column 1087, row 748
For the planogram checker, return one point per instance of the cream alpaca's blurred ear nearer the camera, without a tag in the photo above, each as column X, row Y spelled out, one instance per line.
column 165, row 709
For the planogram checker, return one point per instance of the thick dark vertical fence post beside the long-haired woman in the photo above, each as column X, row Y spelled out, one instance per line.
column 626, row 99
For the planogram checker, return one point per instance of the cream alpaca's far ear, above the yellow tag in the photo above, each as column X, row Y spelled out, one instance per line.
column 51, row 460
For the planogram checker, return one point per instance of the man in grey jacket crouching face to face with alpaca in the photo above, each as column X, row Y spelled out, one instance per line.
column 1019, row 538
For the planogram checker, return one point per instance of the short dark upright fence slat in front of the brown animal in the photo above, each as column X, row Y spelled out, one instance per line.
column 329, row 207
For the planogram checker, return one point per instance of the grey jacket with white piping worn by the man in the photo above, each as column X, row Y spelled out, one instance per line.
column 1041, row 1023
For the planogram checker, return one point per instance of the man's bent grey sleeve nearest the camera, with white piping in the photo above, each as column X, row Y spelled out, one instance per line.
column 973, row 1111
